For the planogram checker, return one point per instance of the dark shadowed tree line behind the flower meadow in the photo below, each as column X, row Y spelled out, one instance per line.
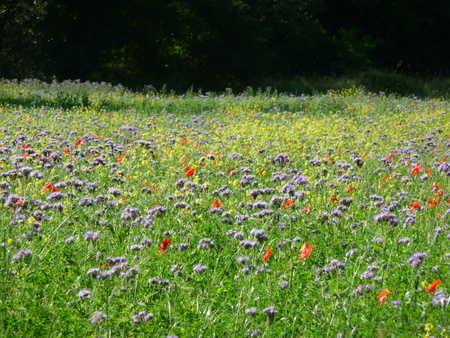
column 219, row 43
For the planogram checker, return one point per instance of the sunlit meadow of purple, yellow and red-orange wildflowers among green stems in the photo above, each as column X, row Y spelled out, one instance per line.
column 201, row 215
